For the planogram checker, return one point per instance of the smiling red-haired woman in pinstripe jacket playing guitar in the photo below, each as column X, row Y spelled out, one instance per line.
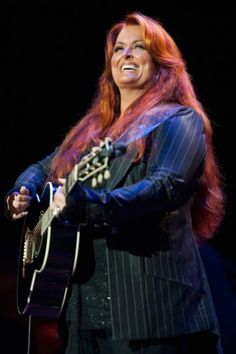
column 140, row 285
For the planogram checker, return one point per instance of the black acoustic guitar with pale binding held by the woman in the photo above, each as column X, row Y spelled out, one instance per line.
column 50, row 247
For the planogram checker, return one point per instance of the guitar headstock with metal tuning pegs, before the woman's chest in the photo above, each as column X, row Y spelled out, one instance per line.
column 95, row 164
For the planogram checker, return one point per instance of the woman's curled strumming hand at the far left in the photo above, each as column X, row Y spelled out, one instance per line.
column 18, row 202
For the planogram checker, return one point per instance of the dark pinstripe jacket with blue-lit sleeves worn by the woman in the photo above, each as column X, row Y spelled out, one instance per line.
column 157, row 282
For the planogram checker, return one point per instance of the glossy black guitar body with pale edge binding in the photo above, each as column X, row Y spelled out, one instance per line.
column 46, row 262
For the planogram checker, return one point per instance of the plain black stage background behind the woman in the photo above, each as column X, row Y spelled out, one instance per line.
column 51, row 56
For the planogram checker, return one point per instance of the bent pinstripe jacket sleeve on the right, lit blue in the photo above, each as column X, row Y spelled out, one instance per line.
column 174, row 166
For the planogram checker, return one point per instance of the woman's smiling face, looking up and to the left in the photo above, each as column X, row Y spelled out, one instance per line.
column 132, row 66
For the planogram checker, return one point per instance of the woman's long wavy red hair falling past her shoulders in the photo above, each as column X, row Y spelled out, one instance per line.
column 171, row 83
